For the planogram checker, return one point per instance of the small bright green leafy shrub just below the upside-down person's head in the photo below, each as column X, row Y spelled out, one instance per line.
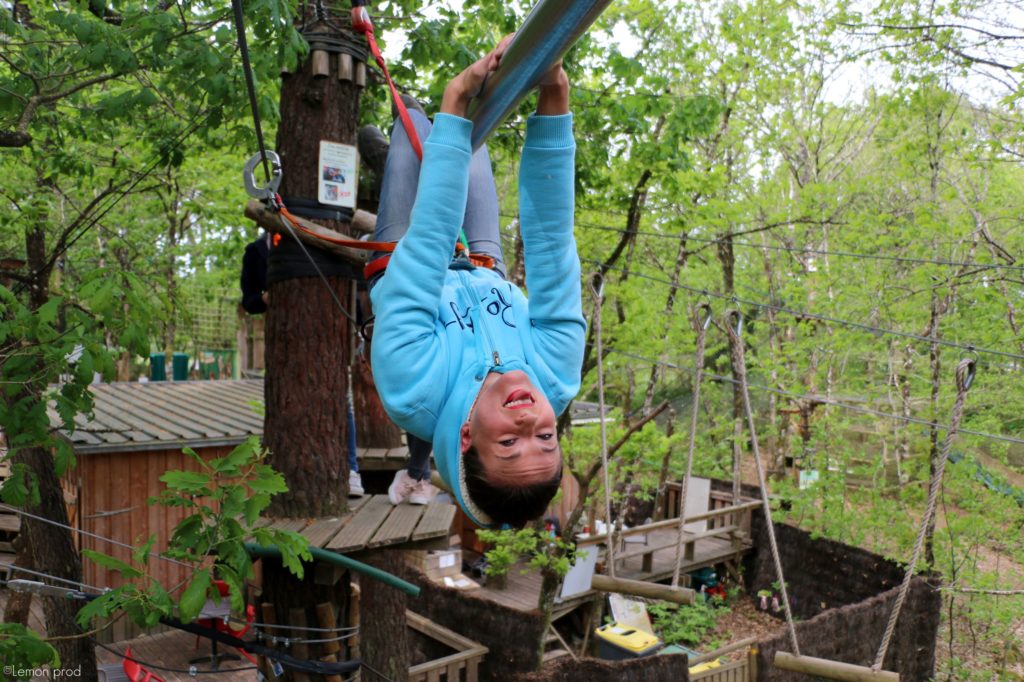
column 541, row 549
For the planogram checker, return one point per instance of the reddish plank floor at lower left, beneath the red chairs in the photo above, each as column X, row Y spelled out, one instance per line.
column 174, row 650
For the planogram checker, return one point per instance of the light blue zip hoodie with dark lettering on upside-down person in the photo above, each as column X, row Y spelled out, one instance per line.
column 440, row 330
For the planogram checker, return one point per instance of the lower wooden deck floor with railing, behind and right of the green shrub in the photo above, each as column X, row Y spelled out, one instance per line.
column 524, row 591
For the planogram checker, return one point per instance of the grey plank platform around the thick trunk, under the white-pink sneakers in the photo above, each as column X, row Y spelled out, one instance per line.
column 374, row 524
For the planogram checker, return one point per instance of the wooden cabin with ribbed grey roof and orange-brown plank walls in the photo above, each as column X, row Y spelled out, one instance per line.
column 136, row 435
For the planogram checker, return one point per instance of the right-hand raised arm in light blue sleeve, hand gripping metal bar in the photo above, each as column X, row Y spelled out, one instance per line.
column 546, row 208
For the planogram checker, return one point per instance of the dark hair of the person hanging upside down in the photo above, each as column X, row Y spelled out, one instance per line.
column 507, row 504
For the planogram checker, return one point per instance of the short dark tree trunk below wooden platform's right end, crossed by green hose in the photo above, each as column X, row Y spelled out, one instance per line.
column 385, row 633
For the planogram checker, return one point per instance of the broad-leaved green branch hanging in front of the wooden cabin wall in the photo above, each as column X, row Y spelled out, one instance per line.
column 225, row 497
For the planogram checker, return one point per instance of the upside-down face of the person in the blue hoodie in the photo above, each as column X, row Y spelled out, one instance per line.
column 514, row 431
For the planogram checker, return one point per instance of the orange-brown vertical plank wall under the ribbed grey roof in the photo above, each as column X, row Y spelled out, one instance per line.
column 111, row 483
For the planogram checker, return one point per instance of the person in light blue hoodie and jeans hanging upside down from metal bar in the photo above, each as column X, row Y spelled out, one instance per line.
column 460, row 357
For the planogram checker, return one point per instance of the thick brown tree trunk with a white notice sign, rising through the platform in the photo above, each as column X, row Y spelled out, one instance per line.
column 309, row 343
